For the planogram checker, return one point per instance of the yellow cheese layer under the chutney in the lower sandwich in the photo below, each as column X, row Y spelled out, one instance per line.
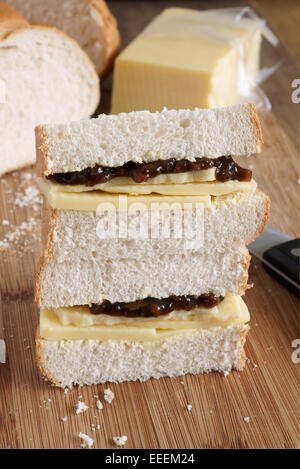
column 79, row 323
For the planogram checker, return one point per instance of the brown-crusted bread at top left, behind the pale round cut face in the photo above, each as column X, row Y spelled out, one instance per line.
column 89, row 22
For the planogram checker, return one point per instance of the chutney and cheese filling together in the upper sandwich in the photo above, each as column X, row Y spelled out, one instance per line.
column 204, row 178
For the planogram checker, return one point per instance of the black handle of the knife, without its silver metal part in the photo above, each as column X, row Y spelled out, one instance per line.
column 285, row 257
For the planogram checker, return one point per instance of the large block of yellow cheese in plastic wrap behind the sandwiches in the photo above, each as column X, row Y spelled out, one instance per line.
column 185, row 59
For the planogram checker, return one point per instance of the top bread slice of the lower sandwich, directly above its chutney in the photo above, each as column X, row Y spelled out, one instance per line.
column 80, row 281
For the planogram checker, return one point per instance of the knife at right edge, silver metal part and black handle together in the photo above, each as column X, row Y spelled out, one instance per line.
column 280, row 254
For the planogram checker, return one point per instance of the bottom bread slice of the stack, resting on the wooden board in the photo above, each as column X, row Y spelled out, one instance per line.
column 81, row 362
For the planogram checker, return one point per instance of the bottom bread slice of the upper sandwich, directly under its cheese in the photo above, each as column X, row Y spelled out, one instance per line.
column 232, row 221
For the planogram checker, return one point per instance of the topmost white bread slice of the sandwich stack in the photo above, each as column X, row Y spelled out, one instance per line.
column 112, row 140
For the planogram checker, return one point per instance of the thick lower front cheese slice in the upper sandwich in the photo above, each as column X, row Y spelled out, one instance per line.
column 97, row 200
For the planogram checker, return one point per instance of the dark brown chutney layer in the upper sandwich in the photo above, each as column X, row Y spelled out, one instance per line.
column 226, row 169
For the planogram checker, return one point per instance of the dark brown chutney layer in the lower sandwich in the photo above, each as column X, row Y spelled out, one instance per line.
column 155, row 307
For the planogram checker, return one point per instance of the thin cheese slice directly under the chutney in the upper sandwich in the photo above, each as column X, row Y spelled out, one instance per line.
column 204, row 175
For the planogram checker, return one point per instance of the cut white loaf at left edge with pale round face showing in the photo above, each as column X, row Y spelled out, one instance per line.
column 47, row 78
